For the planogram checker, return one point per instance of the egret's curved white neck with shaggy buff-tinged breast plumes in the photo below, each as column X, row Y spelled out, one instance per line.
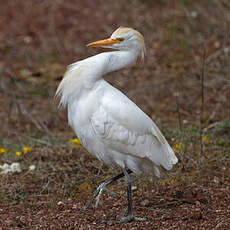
column 84, row 75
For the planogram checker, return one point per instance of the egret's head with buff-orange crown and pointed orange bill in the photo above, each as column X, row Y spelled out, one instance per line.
column 123, row 38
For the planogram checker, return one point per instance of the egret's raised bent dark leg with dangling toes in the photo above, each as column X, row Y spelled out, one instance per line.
column 98, row 192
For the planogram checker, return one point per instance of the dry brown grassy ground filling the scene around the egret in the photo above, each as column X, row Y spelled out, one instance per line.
column 39, row 38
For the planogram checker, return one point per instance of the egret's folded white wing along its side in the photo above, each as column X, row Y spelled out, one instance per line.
column 123, row 127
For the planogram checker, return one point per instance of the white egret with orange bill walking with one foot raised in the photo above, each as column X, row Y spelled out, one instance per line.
column 108, row 124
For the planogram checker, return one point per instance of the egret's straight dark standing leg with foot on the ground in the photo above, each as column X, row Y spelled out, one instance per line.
column 130, row 216
